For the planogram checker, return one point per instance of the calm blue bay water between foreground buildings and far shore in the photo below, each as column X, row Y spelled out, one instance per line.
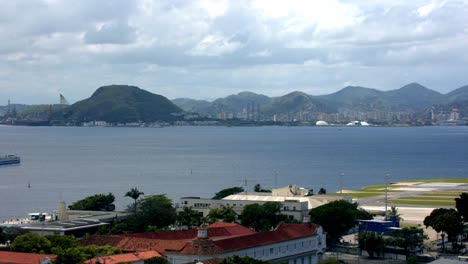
column 70, row 163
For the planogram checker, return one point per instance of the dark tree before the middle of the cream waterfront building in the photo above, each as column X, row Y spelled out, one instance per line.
column 262, row 217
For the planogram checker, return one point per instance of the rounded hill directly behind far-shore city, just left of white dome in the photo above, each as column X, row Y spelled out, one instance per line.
column 297, row 102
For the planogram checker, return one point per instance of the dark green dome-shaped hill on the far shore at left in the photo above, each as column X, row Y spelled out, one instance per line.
column 122, row 104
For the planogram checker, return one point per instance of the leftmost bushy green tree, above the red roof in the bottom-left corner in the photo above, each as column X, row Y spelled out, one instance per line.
column 31, row 243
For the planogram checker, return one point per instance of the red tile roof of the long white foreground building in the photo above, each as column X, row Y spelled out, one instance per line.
column 226, row 237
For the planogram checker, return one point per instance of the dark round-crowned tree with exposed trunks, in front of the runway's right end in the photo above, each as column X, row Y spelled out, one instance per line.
column 448, row 221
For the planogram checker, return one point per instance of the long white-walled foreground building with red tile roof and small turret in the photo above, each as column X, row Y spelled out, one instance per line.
column 290, row 243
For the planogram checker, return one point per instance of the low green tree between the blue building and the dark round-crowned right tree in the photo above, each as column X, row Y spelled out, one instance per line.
column 408, row 238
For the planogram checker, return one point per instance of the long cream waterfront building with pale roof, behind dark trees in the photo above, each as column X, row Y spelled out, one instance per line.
column 295, row 202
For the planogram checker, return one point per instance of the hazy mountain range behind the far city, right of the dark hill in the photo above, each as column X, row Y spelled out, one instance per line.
column 409, row 98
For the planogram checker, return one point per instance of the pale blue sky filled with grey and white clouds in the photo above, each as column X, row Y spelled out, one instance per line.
column 205, row 49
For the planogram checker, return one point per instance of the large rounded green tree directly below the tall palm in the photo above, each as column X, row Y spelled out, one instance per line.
column 155, row 210
